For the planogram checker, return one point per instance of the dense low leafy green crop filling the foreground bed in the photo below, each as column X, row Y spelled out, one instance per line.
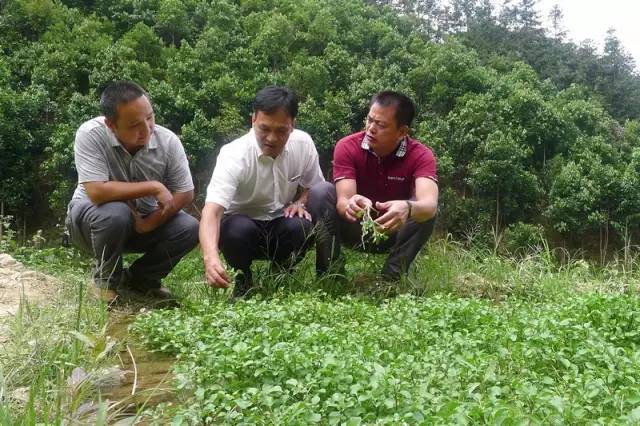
column 306, row 359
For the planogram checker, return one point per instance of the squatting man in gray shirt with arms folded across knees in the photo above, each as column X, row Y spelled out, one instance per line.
column 133, row 181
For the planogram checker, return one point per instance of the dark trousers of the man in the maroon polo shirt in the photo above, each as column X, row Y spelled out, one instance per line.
column 332, row 230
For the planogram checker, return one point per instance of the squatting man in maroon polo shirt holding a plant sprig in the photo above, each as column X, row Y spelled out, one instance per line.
column 380, row 167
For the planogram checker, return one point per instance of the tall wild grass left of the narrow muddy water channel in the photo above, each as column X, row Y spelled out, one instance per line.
column 43, row 344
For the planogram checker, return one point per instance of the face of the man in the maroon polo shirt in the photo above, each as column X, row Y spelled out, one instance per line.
column 383, row 133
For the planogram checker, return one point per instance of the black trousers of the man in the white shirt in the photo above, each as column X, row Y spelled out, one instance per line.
column 283, row 241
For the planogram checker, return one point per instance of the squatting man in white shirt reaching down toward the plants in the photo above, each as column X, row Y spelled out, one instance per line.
column 255, row 206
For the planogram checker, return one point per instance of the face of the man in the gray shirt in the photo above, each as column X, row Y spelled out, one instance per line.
column 134, row 124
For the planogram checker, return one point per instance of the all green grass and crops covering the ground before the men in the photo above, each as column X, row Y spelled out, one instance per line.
column 469, row 337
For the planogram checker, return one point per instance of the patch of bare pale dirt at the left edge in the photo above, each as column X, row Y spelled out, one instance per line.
column 18, row 282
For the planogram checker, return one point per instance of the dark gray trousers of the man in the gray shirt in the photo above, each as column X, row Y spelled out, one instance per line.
column 107, row 231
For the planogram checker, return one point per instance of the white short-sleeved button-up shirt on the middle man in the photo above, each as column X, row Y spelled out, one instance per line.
column 245, row 181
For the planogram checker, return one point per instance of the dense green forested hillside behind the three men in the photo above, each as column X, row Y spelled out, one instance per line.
column 534, row 134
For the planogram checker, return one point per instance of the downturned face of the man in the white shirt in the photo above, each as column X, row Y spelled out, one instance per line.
column 272, row 131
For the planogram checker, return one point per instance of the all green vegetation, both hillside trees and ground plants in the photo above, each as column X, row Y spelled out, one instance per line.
column 535, row 137
